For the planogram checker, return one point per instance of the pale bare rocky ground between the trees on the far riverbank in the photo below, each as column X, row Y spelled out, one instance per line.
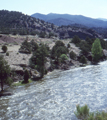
column 20, row 61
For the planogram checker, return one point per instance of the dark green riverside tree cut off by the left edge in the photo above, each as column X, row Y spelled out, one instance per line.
column 4, row 72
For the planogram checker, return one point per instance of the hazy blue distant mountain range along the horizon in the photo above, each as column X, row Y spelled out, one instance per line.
column 78, row 19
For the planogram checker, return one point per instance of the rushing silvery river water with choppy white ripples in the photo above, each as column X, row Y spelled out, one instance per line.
column 55, row 97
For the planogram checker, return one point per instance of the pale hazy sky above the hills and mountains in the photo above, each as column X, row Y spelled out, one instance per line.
column 89, row 8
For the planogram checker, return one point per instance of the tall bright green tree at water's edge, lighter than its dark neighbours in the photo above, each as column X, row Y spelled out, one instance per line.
column 96, row 50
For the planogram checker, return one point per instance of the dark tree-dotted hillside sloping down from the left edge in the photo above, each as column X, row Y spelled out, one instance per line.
column 18, row 23
